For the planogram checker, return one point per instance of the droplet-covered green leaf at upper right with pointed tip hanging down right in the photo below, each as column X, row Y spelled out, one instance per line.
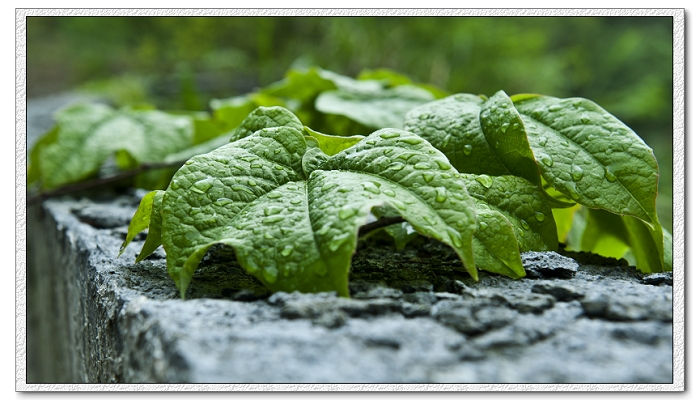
column 589, row 155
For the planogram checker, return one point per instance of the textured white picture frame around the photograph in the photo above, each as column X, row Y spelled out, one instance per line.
column 678, row 199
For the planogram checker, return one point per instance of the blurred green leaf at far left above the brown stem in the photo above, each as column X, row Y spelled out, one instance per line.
column 88, row 134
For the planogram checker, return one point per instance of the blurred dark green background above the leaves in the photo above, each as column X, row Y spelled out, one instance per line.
column 622, row 63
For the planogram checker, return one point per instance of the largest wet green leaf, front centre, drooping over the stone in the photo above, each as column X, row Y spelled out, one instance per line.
column 298, row 233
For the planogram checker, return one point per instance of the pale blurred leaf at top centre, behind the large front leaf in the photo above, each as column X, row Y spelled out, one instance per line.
column 379, row 108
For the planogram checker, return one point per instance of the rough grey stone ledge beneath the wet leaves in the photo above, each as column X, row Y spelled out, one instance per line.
column 414, row 316
